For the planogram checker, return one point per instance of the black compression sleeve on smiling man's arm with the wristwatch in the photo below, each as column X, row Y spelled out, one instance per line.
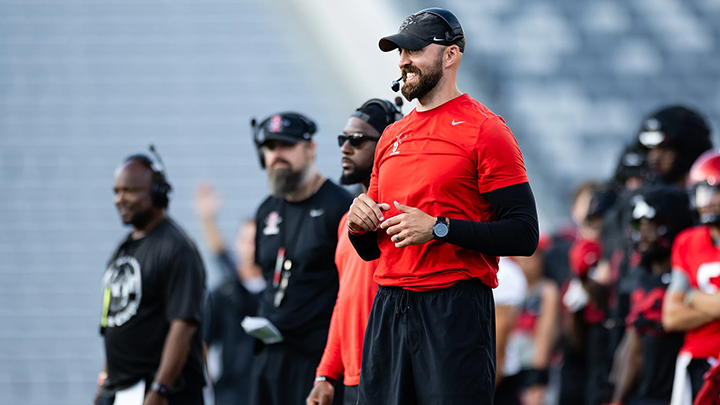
column 514, row 234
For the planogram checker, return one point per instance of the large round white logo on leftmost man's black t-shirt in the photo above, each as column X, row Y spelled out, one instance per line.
column 124, row 282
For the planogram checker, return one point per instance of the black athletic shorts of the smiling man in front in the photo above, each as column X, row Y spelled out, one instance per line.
column 434, row 348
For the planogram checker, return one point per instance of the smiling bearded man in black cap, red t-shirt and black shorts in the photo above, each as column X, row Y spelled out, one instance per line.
column 448, row 195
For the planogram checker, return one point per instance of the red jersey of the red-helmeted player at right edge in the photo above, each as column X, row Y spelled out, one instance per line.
column 694, row 254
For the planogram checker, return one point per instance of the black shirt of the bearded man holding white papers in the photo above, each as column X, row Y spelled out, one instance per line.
column 308, row 230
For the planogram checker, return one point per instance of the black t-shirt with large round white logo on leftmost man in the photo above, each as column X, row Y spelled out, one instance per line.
column 148, row 283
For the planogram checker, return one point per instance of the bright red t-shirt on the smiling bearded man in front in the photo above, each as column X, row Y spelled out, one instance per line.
column 443, row 162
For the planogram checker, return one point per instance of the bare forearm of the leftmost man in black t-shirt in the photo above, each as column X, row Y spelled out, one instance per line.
column 175, row 351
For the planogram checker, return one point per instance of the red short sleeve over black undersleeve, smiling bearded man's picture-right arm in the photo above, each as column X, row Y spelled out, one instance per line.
column 499, row 161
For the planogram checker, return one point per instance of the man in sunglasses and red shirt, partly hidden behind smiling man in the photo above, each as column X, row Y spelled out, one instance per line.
column 357, row 287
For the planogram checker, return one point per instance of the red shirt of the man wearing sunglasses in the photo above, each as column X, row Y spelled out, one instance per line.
column 343, row 351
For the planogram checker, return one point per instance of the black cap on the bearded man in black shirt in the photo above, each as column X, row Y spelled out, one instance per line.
column 287, row 127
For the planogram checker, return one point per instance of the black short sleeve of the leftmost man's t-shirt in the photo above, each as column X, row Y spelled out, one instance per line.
column 185, row 290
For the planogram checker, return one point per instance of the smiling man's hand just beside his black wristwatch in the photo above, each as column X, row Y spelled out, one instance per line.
column 412, row 227
